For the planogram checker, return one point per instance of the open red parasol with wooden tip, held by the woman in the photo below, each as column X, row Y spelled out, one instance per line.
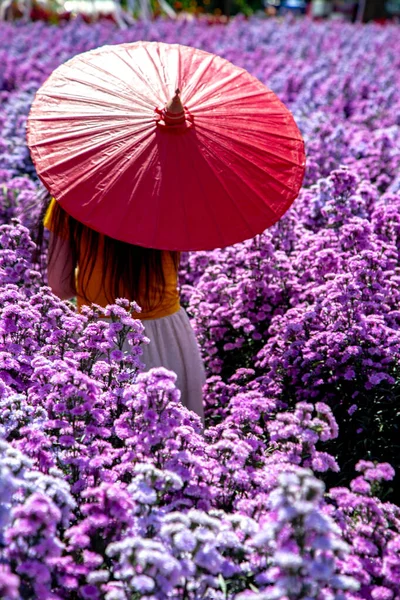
column 165, row 146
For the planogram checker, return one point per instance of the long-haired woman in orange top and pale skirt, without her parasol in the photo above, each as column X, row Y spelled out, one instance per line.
column 98, row 269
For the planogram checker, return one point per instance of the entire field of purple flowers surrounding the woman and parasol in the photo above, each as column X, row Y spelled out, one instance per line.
column 109, row 488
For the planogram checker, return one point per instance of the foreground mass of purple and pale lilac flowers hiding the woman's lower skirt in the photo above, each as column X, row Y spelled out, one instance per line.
column 110, row 488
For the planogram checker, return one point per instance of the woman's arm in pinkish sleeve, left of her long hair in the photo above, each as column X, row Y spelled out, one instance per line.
column 60, row 268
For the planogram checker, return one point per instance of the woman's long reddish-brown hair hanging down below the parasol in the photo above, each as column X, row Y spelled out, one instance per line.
column 130, row 270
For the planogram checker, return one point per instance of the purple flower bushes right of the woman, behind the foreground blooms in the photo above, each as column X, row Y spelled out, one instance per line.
column 309, row 312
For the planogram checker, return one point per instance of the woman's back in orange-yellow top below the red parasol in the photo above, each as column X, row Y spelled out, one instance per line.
column 97, row 280
